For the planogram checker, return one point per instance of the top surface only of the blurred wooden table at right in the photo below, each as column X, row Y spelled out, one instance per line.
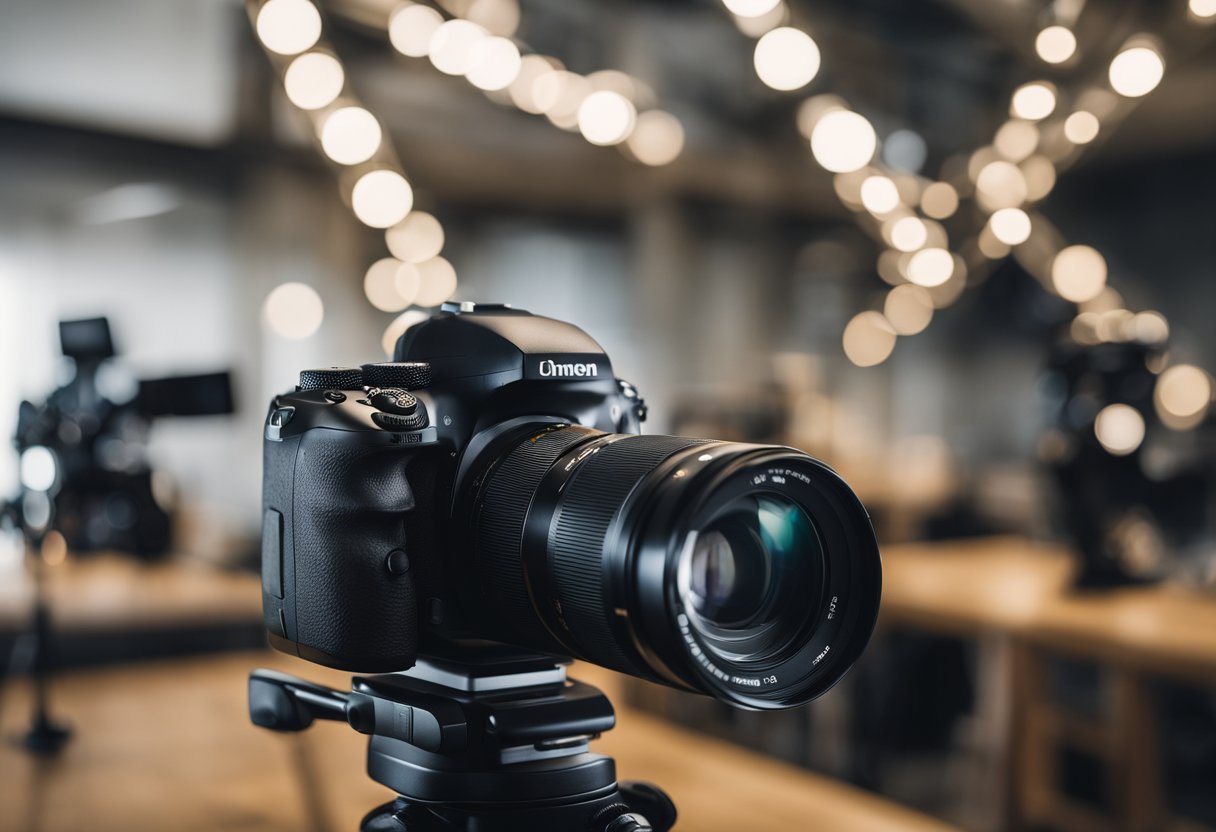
column 1014, row 586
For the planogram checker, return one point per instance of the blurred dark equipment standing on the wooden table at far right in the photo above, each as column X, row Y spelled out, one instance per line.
column 1136, row 497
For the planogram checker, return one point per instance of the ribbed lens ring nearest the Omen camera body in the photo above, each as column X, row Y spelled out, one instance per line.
column 500, row 526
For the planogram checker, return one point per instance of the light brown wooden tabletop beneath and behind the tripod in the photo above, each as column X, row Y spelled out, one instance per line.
column 170, row 746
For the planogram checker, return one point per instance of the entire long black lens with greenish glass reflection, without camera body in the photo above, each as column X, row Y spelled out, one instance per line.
column 746, row 572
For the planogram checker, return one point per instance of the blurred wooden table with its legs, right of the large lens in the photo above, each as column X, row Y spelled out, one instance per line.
column 1012, row 597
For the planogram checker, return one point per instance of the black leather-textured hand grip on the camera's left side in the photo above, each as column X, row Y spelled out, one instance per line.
column 350, row 503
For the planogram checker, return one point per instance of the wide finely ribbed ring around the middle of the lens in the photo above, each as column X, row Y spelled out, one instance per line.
column 577, row 542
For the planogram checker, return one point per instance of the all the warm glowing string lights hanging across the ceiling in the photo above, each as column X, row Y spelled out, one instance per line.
column 903, row 210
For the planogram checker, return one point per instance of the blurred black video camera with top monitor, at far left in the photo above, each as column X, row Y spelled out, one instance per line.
column 85, row 466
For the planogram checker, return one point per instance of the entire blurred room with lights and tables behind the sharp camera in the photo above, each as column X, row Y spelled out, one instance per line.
column 965, row 252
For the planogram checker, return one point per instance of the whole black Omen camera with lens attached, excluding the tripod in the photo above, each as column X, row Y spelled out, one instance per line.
column 491, row 485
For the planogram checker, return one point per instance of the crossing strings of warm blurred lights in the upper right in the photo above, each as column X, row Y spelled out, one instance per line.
column 1004, row 181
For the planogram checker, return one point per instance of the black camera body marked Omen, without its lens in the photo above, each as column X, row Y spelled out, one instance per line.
column 367, row 542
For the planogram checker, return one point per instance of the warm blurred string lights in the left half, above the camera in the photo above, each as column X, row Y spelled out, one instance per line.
column 607, row 108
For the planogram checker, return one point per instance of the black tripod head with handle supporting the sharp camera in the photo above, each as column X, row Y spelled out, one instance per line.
column 476, row 740
